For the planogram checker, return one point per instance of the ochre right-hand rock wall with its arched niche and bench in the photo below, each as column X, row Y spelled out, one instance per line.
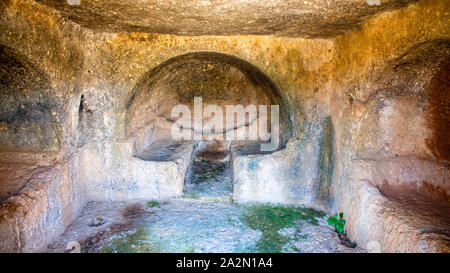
column 382, row 108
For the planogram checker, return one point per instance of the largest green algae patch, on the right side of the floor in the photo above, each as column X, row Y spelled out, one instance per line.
column 270, row 219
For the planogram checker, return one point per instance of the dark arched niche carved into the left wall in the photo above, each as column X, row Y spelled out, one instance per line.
column 30, row 115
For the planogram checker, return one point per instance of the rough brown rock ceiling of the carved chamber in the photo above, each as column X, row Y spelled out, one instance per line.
column 313, row 18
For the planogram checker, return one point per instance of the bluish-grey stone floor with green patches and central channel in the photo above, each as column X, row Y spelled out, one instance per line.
column 205, row 219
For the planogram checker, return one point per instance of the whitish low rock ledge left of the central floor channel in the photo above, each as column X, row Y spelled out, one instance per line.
column 124, row 177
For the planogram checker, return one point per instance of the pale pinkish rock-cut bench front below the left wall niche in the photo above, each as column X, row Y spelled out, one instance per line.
column 45, row 206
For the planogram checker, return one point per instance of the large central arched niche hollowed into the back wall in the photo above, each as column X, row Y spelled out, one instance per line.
column 218, row 79
